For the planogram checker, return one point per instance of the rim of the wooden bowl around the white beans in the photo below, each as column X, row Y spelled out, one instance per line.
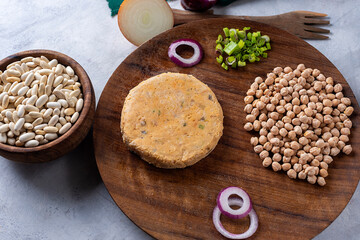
column 85, row 85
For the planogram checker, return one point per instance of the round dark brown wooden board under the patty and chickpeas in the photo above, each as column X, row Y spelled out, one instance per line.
column 178, row 204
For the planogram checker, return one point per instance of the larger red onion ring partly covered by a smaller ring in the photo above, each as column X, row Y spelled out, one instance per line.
column 254, row 222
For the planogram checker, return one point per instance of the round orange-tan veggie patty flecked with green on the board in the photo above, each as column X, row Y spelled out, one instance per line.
column 171, row 120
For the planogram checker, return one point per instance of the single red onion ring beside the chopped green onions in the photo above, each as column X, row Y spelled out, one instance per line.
column 186, row 62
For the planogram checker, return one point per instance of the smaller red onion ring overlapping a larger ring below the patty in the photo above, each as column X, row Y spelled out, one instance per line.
column 223, row 202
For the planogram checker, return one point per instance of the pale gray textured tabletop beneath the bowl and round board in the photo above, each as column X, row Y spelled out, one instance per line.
column 66, row 199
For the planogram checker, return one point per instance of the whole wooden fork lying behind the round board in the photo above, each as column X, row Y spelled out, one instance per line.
column 299, row 23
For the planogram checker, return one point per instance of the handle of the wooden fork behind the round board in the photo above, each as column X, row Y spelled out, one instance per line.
column 181, row 17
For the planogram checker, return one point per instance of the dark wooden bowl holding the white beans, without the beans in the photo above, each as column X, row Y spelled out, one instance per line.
column 72, row 138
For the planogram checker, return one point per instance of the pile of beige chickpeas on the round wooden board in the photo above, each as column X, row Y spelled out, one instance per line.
column 303, row 121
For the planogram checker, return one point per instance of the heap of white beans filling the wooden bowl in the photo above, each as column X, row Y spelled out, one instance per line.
column 40, row 100
